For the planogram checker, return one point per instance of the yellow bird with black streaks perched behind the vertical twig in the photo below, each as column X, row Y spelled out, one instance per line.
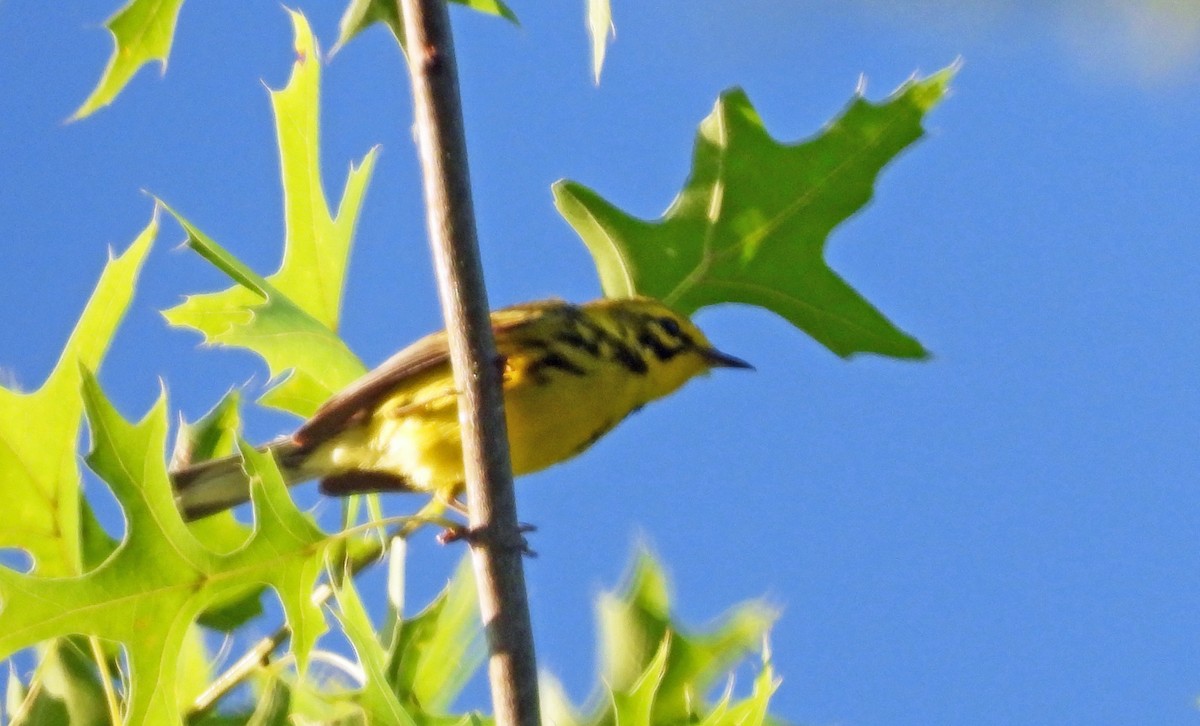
column 571, row 374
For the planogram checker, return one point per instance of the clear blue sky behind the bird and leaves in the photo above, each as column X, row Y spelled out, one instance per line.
column 1005, row 535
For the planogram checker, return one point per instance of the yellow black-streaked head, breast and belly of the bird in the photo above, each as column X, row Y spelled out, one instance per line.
column 571, row 376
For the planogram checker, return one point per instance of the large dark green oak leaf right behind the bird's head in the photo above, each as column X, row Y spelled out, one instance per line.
column 752, row 223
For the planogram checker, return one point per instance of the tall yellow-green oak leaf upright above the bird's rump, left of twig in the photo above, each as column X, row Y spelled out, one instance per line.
column 291, row 317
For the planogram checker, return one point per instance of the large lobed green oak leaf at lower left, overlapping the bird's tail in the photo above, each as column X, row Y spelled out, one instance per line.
column 177, row 578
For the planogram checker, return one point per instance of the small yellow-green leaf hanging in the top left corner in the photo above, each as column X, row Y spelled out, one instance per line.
column 142, row 33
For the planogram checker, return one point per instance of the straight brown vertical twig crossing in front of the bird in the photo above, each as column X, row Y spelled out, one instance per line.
column 497, row 547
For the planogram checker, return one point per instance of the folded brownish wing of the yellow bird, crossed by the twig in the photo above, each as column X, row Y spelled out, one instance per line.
column 364, row 395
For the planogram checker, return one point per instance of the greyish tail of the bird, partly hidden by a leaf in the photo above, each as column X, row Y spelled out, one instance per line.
column 215, row 485
